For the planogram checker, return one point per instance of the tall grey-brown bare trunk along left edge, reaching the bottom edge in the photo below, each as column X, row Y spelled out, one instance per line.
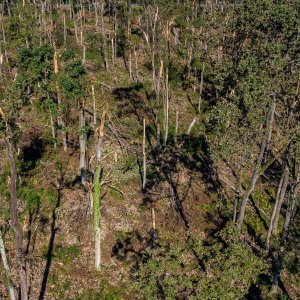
column 14, row 214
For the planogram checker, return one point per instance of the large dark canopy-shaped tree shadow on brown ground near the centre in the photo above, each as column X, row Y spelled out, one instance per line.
column 191, row 154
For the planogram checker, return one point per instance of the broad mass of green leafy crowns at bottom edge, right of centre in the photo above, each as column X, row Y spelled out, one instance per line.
column 172, row 269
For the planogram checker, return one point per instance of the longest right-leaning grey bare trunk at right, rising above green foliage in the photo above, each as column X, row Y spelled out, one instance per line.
column 255, row 175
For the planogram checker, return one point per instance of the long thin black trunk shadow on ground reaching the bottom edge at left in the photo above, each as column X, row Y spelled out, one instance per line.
column 51, row 241
